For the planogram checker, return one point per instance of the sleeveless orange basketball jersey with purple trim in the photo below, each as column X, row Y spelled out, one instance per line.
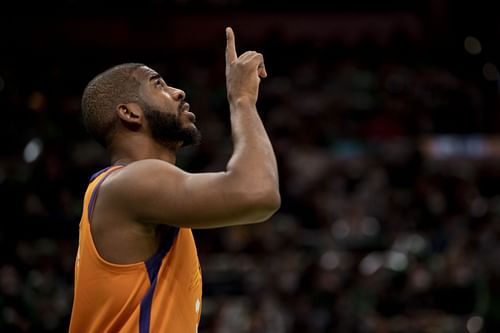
column 161, row 294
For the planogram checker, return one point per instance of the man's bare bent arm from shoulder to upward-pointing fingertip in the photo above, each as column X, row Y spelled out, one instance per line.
column 154, row 191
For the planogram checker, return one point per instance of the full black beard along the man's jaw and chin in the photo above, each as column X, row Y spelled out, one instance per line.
column 167, row 130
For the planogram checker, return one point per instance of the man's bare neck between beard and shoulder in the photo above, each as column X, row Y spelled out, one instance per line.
column 125, row 150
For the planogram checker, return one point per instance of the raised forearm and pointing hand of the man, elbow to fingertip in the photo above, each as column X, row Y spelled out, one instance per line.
column 252, row 172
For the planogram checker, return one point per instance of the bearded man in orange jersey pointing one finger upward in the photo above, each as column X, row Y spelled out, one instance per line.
column 137, row 269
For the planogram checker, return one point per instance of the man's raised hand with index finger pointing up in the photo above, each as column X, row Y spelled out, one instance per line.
column 243, row 73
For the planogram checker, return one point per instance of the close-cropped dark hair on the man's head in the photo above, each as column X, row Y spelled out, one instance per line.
column 114, row 86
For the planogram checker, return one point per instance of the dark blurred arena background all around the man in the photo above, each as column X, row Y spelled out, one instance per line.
column 384, row 116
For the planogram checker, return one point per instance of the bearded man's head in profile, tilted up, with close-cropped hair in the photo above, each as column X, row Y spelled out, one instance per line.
column 133, row 97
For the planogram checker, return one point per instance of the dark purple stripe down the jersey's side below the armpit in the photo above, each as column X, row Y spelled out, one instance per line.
column 153, row 265
